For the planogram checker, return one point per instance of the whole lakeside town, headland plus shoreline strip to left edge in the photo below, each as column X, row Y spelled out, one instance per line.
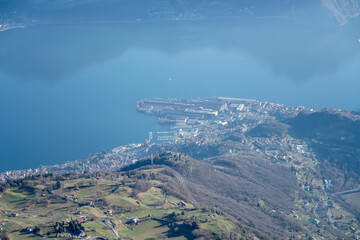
column 188, row 120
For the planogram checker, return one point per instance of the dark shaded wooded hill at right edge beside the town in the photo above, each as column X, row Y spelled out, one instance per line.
column 334, row 138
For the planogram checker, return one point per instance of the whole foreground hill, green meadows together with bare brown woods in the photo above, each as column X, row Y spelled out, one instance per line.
column 169, row 195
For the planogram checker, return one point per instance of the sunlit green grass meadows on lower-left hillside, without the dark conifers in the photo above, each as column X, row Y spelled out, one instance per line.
column 91, row 199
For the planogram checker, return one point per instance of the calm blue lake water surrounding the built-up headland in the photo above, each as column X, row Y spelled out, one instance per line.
column 69, row 90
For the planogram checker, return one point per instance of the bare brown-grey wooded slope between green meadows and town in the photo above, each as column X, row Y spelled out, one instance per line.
column 235, row 186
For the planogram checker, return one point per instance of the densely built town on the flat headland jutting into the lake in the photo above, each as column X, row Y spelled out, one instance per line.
column 188, row 117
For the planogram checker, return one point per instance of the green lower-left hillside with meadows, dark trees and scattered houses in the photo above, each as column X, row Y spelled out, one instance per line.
column 126, row 205
